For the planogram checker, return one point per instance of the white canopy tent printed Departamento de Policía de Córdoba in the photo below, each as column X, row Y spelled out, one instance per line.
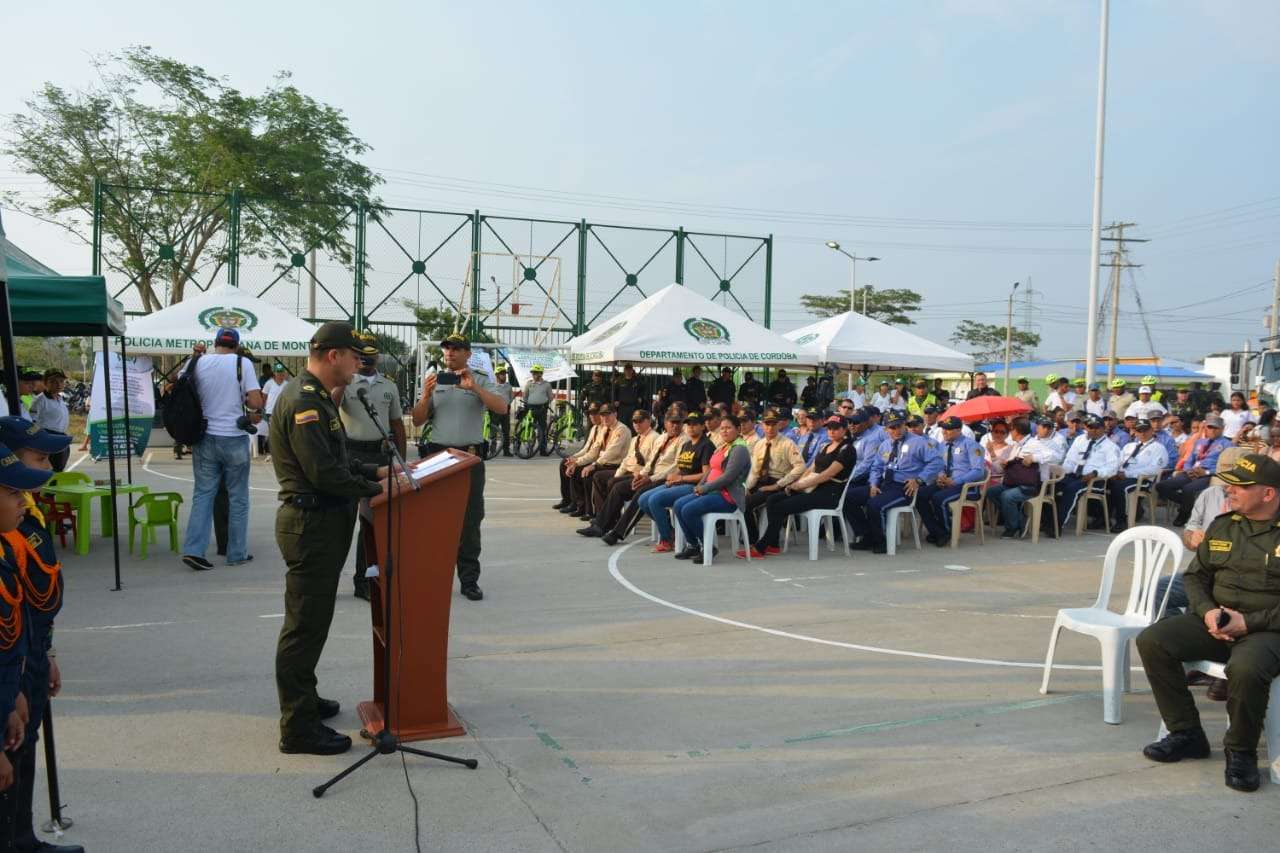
column 678, row 326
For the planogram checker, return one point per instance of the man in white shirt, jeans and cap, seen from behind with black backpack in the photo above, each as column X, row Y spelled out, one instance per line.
column 226, row 385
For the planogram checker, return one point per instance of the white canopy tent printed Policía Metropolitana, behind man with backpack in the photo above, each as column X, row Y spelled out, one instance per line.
column 264, row 329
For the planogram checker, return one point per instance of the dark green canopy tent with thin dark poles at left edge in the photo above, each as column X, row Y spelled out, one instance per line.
column 39, row 303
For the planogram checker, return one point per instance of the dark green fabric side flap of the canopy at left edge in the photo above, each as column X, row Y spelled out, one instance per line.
column 63, row 305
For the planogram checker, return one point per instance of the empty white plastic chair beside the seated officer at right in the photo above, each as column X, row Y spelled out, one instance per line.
column 1154, row 549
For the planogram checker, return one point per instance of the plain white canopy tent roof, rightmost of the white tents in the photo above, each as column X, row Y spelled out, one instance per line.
column 857, row 341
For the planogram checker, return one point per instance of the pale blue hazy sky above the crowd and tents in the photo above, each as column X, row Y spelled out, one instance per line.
column 952, row 139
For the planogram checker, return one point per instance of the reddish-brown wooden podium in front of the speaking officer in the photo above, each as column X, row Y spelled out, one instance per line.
column 426, row 526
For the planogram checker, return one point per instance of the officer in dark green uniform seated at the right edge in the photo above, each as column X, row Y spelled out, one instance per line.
column 1233, row 587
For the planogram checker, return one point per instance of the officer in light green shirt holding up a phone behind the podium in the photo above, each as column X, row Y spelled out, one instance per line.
column 455, row 402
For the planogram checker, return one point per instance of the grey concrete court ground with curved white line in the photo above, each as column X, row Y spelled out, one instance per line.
column 623, row 701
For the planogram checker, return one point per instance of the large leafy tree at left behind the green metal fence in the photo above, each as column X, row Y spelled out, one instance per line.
column 157, row 122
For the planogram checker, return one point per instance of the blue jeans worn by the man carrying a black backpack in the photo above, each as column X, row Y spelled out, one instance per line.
column 220, row 459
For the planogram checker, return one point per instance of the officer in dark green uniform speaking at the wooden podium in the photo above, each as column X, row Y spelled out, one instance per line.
column 319, row 490
